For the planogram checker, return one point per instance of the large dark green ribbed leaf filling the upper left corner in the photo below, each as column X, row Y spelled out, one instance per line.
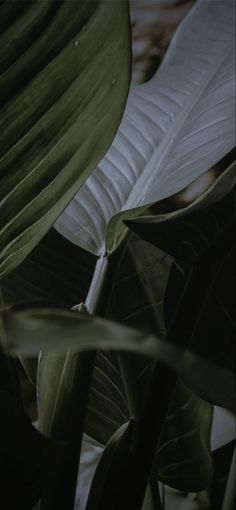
column 64, row 82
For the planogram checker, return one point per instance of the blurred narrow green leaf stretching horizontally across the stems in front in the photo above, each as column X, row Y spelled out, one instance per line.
column 32, row 330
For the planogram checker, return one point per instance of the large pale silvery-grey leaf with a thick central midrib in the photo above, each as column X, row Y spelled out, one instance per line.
column 174, row 128
